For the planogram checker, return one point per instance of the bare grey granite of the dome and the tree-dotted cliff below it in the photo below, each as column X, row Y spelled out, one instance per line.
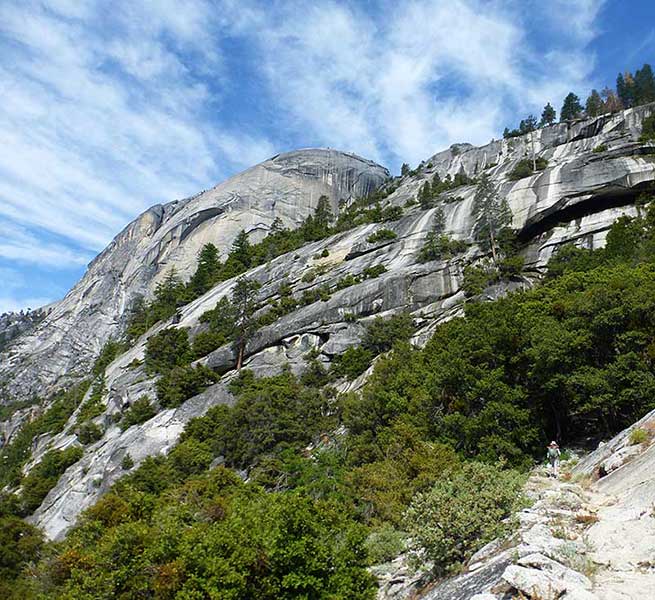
column 596, row 169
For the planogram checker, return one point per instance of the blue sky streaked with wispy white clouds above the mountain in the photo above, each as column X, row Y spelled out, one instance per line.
column 109, row 107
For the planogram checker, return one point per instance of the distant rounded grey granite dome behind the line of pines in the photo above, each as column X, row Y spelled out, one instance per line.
column 286, row 186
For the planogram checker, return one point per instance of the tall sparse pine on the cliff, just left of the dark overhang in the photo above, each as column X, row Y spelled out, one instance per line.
column 491, row 216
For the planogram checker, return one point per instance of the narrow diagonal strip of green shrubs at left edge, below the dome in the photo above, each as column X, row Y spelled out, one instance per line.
column 14, row 455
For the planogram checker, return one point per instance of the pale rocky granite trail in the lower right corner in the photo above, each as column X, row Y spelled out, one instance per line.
column 582, row 538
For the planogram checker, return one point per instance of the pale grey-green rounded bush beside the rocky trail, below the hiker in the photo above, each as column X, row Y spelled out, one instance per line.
column 462, row 513
